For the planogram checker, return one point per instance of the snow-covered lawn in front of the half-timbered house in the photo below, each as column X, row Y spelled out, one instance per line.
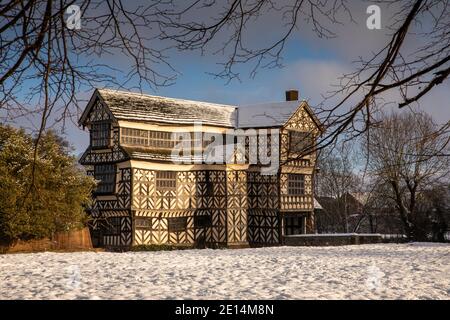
column 392, row 271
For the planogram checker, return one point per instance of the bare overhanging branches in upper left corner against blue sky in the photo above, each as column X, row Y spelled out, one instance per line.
column 45, row 63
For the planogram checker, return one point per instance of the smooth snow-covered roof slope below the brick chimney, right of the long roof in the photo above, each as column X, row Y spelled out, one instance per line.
column 273, row 114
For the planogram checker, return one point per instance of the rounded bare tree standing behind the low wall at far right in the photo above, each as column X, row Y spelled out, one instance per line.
column 407, row 156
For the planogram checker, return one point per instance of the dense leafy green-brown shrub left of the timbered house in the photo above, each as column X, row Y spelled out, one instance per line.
column 39, row 195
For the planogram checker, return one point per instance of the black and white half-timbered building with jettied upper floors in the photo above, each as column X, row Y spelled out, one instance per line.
column 144, row 196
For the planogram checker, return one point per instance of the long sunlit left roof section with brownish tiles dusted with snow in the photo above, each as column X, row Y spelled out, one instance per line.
column 141, row 107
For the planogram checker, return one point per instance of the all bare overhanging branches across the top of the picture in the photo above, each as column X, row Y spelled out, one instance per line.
column 44, row 63
